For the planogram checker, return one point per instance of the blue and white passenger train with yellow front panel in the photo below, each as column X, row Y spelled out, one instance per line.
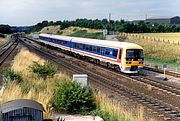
column 124, row 56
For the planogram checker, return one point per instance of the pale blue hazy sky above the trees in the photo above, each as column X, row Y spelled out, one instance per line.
column 30, row 12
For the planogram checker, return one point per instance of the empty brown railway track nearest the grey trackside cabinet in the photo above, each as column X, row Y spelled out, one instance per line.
column 112, row 83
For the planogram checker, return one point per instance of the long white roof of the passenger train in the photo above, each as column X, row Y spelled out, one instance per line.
column 106, row 43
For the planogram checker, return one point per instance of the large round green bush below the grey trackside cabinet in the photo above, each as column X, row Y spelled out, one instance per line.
column 71, row 97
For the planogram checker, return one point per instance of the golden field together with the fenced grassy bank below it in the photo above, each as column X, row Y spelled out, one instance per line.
column 156, row 51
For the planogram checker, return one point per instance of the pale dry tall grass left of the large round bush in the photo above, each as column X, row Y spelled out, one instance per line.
column 32, row 87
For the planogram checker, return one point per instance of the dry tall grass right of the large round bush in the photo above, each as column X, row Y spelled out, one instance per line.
column 116, row 112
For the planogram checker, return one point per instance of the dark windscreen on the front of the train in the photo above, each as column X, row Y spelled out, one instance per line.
column 134, row 54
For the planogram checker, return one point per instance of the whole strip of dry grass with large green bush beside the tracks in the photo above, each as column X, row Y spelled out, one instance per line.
column 58, row 93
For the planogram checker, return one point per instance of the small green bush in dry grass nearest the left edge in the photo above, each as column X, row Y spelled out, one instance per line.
column 10, row 75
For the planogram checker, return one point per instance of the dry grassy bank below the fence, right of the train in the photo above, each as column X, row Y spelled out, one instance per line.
column 158, row 52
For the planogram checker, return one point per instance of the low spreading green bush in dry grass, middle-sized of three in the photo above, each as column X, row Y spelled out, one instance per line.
column 43, row 71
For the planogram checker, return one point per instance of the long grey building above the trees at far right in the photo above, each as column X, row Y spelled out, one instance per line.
column 164, row 20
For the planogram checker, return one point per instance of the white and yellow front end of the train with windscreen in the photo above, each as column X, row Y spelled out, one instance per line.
column 133, row 59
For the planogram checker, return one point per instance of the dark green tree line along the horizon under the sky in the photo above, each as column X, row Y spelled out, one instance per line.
column 117, row 26
